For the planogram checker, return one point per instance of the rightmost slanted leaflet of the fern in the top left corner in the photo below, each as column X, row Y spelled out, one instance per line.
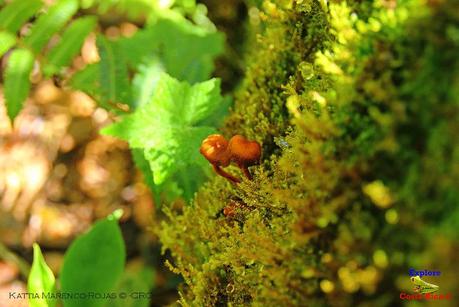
column 70, row 44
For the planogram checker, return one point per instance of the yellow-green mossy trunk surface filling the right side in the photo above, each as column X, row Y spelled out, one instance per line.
column 356, row 106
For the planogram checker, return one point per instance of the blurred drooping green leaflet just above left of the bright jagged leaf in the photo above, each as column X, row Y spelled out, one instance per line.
column 113, row 74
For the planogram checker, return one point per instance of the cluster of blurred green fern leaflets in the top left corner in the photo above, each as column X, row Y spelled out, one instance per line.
column 30, row 47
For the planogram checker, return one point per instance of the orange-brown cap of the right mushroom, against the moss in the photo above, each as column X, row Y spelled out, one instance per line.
column 243, row 151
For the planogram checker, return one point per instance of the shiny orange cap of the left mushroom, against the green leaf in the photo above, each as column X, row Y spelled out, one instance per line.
column 215, row 149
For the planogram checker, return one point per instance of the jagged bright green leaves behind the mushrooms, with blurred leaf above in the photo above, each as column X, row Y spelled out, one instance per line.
column 154, row 51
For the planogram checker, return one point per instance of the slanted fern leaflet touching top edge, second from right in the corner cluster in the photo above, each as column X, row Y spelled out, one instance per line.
column 50, row 23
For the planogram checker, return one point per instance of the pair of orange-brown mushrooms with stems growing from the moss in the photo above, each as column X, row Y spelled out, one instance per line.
column 220, row 153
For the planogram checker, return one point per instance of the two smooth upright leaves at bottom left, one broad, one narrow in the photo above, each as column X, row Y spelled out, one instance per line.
column 93, row 263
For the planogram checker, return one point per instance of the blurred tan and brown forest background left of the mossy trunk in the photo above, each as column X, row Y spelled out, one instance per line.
column 58, row 174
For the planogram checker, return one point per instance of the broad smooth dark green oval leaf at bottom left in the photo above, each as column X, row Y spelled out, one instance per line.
column 93, row 263
